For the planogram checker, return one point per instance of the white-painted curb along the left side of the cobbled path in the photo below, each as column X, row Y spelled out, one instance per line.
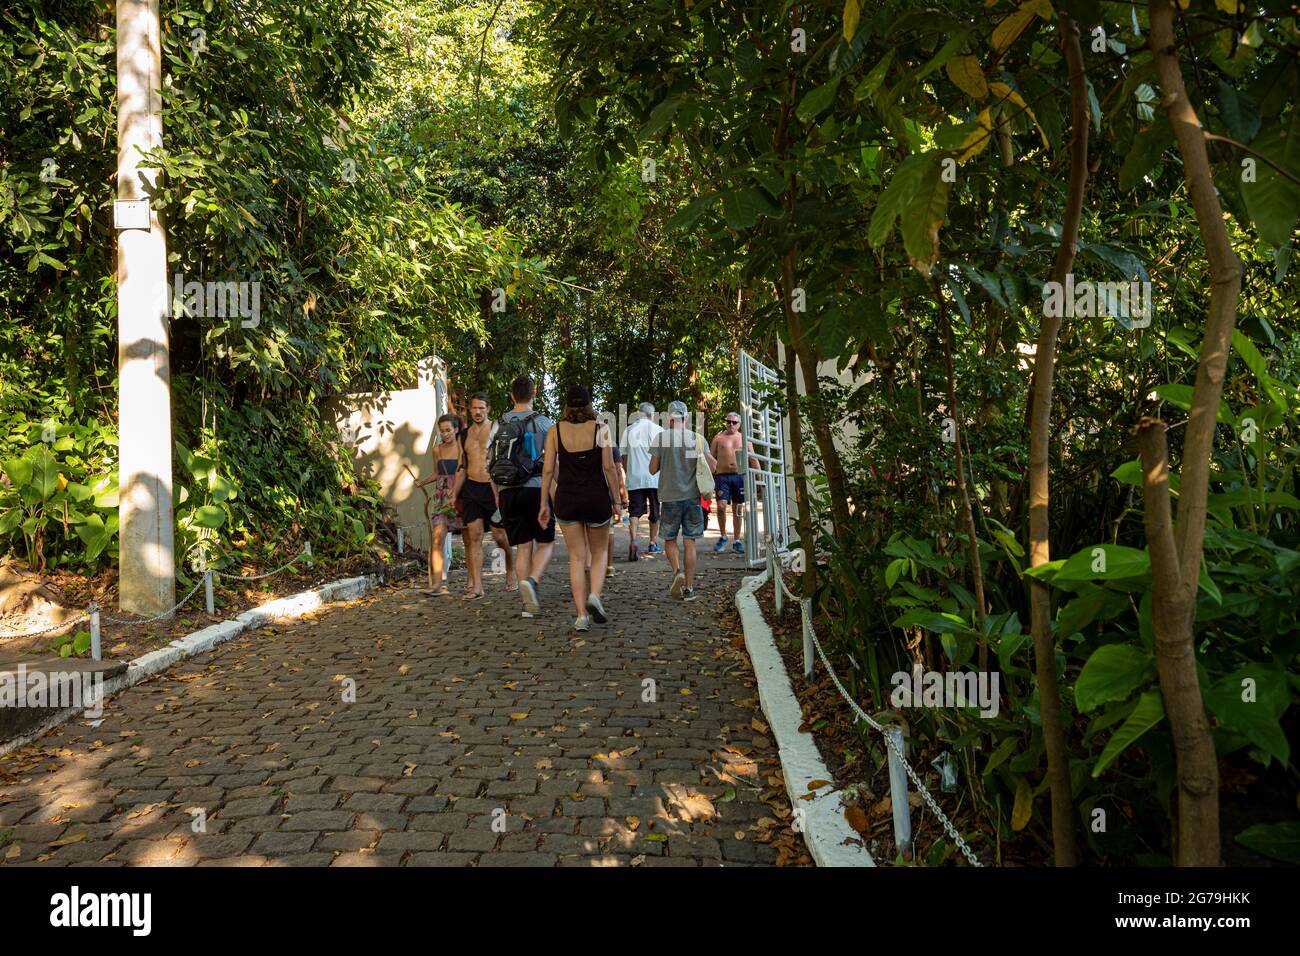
column 200, row 642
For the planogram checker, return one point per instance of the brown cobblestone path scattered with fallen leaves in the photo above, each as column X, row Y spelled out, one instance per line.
column 476, row 739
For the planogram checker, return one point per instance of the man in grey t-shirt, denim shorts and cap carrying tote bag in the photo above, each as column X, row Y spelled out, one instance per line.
column 674, row 457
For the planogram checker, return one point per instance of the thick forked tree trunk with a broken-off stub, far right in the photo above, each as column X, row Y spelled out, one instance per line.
column 1176, row 557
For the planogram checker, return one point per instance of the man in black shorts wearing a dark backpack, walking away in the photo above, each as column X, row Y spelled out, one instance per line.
column 518, row 452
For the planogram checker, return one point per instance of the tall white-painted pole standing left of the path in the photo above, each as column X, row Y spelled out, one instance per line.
column 148, row 563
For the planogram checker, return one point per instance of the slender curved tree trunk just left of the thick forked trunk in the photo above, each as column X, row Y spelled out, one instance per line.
column 1041, row 438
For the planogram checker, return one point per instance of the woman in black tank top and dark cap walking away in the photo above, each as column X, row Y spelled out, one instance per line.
column 578, row 475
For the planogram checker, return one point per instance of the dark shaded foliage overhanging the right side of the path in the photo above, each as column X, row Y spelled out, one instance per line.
column 899, row 176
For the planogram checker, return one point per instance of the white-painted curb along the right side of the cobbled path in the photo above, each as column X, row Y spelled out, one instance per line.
column 825, row 827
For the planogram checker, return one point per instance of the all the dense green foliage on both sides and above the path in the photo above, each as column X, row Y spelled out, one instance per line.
column 655, row 185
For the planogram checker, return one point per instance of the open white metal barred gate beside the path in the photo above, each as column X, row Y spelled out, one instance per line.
column 762, row 427
